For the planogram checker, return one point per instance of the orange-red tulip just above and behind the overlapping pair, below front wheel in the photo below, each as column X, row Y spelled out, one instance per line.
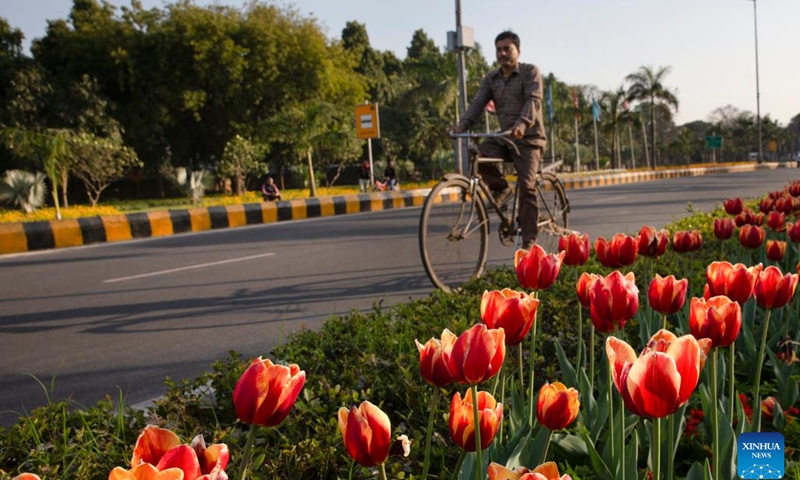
column 510, row 310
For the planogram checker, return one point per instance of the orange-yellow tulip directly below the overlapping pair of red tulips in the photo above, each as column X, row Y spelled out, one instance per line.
column 462, row 419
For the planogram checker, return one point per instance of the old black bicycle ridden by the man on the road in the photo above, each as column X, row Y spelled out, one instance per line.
column 454, row 225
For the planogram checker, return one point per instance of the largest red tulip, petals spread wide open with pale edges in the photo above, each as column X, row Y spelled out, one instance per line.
column 661, row 379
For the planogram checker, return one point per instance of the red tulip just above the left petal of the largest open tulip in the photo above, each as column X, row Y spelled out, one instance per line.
column 613, row 300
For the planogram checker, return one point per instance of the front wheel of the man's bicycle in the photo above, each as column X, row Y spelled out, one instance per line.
column 453, row 234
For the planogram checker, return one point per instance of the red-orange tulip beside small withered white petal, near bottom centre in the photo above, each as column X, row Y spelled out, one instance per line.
column 367, row 433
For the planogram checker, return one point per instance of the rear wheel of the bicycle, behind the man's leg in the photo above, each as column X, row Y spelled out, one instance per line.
column 553, row 212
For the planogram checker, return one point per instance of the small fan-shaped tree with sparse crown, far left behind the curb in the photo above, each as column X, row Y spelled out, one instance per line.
column 99, row 161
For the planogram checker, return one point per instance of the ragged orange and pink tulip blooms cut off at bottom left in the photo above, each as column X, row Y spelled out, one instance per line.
column 159, row 454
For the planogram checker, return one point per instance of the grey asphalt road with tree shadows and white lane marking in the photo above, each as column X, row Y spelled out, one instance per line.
column 121, row 317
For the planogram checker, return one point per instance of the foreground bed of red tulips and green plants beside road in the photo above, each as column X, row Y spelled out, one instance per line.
column 699, row 324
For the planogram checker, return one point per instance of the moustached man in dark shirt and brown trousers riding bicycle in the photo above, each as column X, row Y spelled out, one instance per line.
column 516, row 89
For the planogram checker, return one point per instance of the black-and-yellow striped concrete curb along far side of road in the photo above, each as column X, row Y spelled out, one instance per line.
column 33, row 236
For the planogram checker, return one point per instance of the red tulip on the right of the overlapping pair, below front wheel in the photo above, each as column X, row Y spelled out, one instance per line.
column 478, row 354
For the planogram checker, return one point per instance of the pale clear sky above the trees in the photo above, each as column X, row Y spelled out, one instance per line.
column 708, row 44
